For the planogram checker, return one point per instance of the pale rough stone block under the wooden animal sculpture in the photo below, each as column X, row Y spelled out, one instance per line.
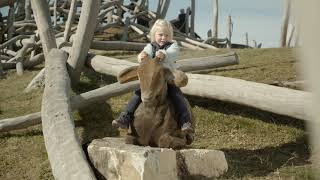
column 115, row 160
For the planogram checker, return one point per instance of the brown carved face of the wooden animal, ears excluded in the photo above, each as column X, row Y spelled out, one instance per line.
column 153, row 83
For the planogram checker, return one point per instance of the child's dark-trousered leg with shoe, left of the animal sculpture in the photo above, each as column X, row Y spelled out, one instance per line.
column 127, row 115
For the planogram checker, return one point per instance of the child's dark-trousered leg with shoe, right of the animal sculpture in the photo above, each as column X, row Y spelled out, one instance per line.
column 180, row 106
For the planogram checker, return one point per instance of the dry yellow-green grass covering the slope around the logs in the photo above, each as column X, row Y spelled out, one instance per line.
column 257, row 144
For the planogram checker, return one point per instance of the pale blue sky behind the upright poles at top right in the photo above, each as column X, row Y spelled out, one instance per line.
column 261, row 19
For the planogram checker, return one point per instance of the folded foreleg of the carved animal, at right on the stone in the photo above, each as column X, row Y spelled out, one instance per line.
column 168, row 141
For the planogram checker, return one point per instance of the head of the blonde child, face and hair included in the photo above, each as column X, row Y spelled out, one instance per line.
column 161, row 32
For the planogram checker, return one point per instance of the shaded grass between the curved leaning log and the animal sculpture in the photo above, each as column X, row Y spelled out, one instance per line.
column 96, row 118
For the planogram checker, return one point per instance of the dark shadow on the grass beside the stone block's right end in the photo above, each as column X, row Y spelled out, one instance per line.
column 261, row 162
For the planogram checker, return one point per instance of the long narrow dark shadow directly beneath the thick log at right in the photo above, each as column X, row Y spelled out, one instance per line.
column 245, row 111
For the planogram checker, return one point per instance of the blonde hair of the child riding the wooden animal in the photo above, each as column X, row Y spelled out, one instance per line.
column 162, row 26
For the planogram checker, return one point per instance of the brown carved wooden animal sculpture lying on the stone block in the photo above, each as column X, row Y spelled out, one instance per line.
column 155, row 123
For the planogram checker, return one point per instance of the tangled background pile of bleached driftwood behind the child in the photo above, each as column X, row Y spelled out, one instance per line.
column 19, row 36
